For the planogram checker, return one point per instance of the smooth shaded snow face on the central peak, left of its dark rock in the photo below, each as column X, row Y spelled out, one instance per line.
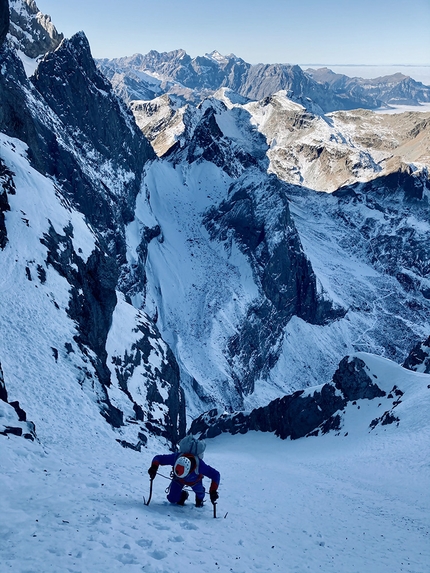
column 200, row 291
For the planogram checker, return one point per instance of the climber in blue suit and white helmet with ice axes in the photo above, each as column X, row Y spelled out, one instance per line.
column 188, row 470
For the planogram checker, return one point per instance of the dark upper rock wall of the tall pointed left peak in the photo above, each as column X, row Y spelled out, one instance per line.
column 98, row 122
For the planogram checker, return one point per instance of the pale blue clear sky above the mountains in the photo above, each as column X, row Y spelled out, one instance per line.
column 269, row 31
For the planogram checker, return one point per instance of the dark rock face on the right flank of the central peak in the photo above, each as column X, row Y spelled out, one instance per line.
column 257, row 217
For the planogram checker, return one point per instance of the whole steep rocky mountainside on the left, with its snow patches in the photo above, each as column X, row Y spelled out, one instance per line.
column 87, row 154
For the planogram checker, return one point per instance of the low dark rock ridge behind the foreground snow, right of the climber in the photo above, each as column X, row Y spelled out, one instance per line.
column 303, row 413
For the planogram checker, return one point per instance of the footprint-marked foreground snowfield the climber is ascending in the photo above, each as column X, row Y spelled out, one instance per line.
column 355, row 502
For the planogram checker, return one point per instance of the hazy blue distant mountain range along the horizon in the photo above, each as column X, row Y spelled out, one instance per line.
column 141, row 77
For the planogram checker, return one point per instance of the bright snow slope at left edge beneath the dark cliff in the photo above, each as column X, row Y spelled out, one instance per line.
column 33, row 313
